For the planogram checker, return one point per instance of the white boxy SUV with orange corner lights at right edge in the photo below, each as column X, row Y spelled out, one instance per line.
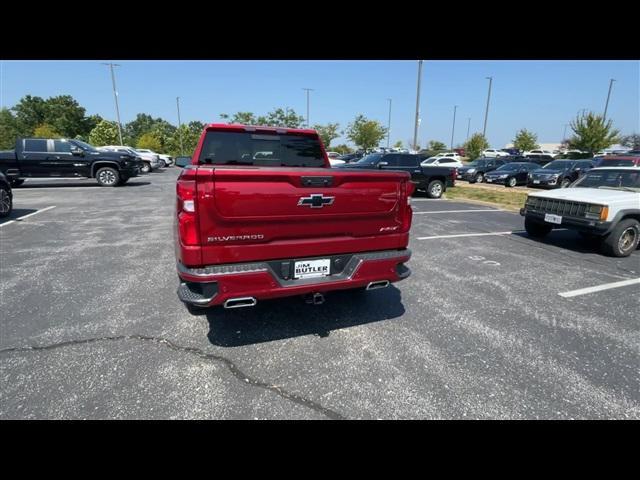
column 604, row 204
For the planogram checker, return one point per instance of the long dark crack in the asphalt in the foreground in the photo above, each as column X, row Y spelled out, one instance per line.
column 239, row 374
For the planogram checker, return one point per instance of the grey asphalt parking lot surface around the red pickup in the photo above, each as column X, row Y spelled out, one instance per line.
column 92, row 327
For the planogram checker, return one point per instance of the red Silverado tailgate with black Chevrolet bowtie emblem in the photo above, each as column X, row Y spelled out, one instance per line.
column 259, row 213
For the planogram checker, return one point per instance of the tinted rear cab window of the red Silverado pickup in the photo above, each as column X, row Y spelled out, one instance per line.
column 261, row 149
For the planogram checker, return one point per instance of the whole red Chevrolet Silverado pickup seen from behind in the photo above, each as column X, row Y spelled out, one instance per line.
column 261, row 214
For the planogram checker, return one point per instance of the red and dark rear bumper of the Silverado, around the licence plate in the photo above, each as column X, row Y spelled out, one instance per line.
column 213, row 285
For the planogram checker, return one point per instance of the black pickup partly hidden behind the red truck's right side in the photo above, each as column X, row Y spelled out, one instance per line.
column 432, row 180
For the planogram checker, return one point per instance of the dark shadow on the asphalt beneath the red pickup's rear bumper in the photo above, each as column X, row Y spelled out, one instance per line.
column 291, row 317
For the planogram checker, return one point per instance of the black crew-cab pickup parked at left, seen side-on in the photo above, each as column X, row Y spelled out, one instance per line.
column 58, row 157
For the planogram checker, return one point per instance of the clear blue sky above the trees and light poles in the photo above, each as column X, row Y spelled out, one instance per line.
column 539, row 95
